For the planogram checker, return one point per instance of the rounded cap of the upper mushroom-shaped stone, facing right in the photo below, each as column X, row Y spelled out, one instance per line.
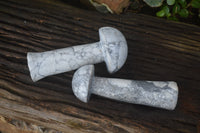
column 114, row 48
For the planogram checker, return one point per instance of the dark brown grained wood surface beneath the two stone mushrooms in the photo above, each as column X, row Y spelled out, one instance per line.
column 158, row 50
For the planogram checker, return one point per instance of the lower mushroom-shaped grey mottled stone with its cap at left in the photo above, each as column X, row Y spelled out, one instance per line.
column 161, row 94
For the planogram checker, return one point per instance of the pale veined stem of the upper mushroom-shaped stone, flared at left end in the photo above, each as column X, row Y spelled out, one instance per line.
column 62, row 60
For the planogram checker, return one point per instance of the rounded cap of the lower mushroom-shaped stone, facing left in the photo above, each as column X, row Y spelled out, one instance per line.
column 81, row 82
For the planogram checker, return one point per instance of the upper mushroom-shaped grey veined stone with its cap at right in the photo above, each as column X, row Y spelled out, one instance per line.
column 112, row 48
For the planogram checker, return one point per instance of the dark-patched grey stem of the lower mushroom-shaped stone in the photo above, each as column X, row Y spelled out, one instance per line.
column 152, row 93
